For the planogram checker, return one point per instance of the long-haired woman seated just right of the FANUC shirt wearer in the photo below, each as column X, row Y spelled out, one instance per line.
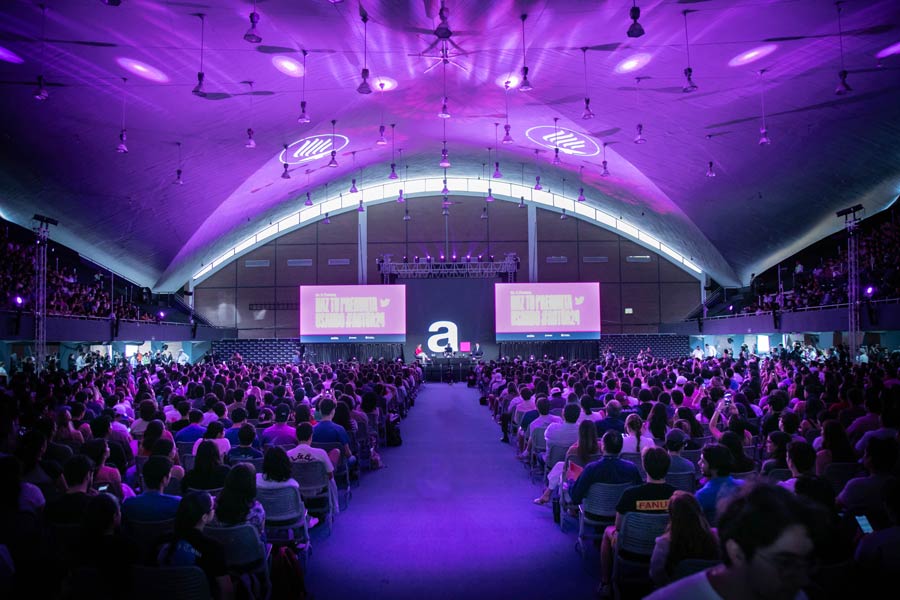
column 688, row 536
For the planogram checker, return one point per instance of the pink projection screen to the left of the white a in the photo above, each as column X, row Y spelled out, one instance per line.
column 352, row 313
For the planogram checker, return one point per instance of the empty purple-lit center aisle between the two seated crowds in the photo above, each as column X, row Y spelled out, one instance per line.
column 451, row 516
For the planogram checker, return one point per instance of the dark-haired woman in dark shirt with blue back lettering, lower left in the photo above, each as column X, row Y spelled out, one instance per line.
column 190, row 547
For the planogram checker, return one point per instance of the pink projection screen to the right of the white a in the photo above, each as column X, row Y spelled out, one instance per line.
column 547, row 311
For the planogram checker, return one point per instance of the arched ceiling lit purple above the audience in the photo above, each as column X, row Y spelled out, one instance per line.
column 828, row 151
